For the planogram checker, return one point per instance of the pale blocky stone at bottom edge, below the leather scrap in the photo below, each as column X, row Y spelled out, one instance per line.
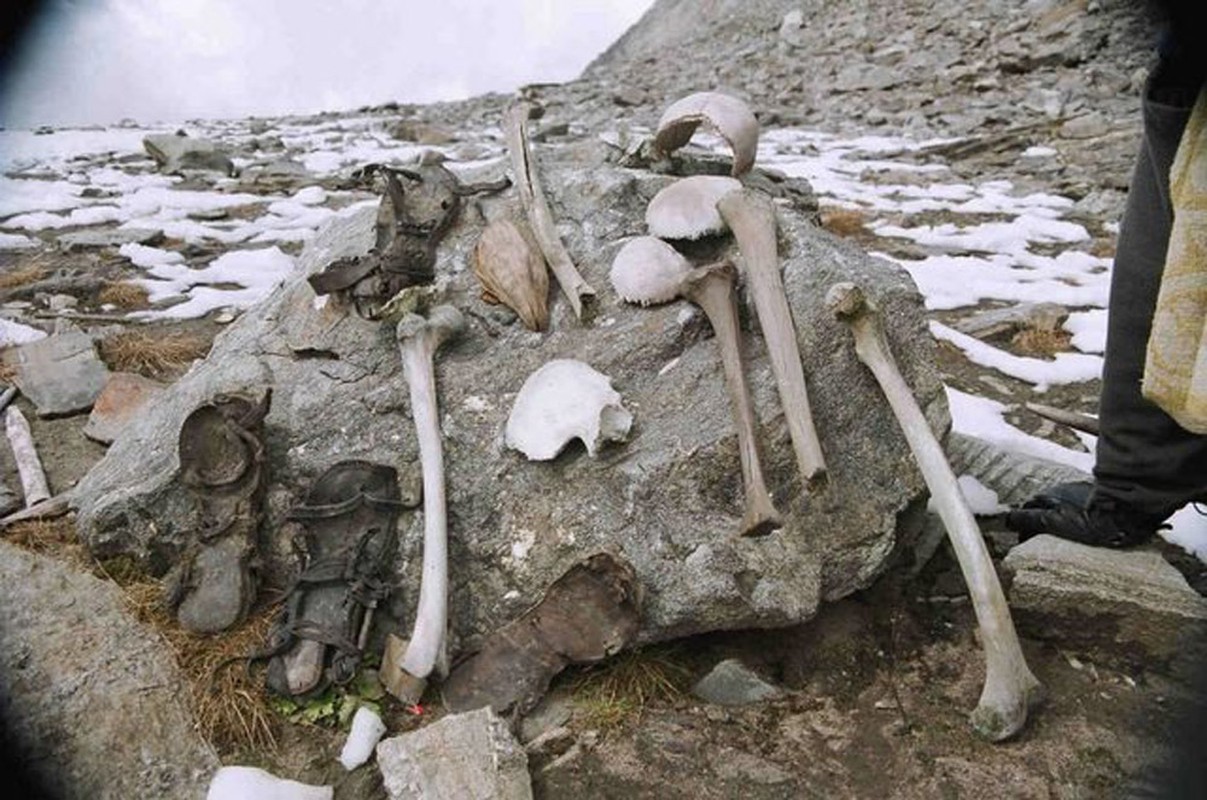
column 463, row 757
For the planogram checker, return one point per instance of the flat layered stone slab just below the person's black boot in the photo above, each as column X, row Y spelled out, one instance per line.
column 1129, row 605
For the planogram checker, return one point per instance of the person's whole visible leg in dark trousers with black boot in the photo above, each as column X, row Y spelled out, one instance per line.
column 1147, row 466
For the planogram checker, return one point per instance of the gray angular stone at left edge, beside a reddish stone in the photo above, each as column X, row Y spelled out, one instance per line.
column 60, row 375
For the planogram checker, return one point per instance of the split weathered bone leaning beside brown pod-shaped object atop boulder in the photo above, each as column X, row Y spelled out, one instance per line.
column 537, row 207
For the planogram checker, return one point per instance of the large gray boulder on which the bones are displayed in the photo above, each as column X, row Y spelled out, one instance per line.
column 669, row 500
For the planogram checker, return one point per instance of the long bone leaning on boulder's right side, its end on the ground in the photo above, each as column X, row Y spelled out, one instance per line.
column 1011, row 691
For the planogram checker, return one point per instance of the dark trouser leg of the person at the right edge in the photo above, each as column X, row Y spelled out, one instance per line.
column 1145, row 459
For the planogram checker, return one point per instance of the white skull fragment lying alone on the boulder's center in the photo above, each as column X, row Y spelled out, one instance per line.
column 563, row 401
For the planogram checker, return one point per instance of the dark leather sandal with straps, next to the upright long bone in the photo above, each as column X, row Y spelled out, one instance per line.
column 349, row 540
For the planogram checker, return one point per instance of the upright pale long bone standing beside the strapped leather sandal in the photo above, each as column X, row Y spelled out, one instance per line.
column 406, row 676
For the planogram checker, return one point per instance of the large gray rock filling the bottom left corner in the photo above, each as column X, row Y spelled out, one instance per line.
column 91, row 700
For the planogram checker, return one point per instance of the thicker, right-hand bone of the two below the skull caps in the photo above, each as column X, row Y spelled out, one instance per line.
column 751, row 217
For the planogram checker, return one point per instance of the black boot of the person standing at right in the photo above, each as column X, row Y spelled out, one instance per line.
column 1077, row 513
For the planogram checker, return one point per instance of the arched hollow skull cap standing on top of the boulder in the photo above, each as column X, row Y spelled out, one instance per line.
column 725, row 114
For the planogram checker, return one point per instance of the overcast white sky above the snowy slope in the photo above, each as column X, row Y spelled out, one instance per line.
column 103, row 61
